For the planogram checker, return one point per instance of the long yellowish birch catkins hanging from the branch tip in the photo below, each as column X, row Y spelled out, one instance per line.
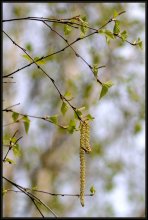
column 84, row 147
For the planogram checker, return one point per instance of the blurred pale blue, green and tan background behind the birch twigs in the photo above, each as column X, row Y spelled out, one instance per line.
column 50, row 156
